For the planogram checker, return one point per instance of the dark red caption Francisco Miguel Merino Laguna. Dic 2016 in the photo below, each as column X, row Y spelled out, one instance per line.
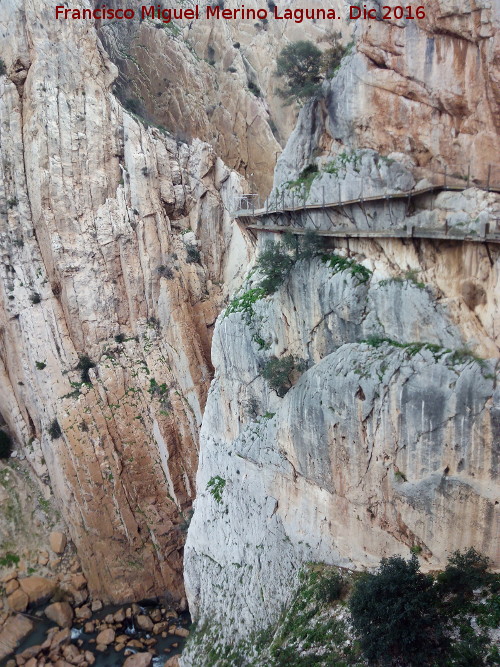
column 192, row 13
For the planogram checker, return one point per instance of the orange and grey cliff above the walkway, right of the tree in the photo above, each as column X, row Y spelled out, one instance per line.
column 428, row 89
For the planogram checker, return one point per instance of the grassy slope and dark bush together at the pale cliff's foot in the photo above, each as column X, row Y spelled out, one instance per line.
column 396, row 616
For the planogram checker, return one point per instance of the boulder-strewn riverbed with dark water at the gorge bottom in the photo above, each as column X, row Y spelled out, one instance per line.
column 53, row 620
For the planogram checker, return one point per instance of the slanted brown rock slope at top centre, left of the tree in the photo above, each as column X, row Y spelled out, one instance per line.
column 214, row 79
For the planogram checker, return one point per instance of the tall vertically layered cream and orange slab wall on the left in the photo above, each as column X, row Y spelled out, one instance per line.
column 115, row 240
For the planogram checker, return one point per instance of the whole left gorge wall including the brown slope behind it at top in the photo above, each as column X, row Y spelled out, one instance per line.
column 117, row 254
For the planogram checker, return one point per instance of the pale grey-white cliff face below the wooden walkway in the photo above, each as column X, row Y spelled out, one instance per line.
column 376, row 449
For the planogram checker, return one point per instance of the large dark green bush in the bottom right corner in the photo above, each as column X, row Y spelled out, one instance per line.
column 404, row 617
